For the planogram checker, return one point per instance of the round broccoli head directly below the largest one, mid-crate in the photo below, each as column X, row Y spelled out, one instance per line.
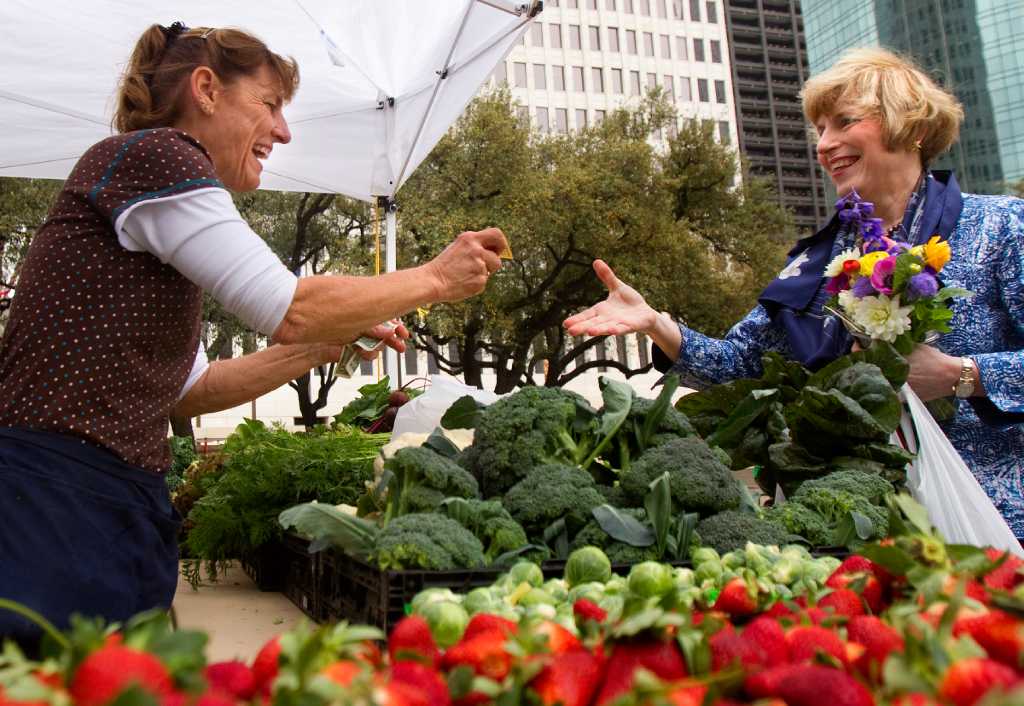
column 549, row 493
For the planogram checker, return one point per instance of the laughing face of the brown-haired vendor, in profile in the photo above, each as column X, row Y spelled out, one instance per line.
column 246, row 122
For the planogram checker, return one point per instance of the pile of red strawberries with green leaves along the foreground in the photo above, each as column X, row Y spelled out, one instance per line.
column 908, row 622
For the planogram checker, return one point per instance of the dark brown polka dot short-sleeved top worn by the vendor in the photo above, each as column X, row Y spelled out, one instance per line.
column 101, row 340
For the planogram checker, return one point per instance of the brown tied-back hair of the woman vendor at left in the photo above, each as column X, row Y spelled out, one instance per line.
column 154, row 85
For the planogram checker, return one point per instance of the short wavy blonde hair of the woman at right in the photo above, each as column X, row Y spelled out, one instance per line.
column 872, row 82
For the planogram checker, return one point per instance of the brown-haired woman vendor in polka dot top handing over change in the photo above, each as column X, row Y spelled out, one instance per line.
column 103, row 346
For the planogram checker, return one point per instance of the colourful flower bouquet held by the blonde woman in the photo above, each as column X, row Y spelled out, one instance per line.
column 885, row 289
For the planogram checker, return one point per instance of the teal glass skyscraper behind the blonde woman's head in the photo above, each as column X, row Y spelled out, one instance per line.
column 975, row 48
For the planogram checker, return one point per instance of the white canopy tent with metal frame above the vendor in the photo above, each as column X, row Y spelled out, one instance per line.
column 381, row 81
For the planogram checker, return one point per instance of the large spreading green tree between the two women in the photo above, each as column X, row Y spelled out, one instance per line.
column 673, row 223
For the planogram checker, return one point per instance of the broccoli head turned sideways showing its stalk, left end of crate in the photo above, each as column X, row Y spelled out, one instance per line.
column 422, row 480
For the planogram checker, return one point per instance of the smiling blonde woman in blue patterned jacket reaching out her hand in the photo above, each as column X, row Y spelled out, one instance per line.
column 880, row 123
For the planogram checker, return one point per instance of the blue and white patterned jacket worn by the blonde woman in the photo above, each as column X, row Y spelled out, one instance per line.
column 988, row 258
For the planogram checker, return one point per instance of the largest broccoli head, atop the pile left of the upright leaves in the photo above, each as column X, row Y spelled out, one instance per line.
column 528, row 429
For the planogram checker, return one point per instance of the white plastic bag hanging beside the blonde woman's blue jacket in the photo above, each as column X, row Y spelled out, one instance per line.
column 940, row 480
